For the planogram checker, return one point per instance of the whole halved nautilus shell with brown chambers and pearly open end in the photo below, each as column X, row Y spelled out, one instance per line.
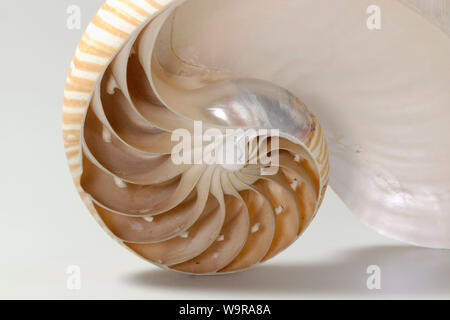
column 147, row 68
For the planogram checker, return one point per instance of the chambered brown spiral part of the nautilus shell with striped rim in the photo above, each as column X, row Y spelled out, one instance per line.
column 127, row 96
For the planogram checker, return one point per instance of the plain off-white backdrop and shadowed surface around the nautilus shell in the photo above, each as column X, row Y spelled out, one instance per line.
column 45, row 227
